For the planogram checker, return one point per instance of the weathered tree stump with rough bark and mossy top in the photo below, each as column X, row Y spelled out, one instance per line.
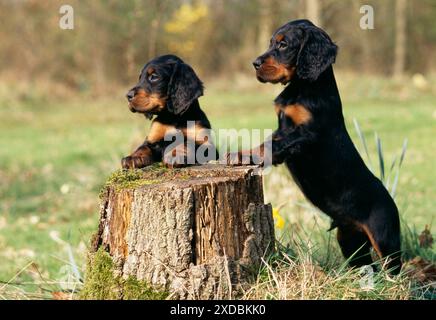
column 195, row 232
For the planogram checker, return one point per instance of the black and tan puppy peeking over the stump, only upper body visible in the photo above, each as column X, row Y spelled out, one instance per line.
column 168, row 89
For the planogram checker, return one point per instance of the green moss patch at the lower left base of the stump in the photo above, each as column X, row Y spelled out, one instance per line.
column 102, row 284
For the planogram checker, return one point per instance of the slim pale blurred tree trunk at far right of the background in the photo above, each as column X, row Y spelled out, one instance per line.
column 400, row 38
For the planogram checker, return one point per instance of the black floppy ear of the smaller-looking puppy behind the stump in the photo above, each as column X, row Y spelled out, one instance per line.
column 183, row 88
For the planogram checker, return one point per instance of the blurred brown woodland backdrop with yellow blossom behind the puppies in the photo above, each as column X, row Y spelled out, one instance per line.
column 113, row 39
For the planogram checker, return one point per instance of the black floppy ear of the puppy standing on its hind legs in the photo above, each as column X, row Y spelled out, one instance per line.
column 316, row 54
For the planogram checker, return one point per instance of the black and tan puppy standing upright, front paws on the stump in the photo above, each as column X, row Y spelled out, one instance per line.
column 313, row 142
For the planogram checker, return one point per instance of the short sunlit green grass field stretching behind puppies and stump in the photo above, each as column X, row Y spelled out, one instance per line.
column 56, row 154
